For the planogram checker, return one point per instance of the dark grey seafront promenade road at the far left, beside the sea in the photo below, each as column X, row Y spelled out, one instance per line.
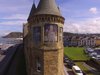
column 6, row 59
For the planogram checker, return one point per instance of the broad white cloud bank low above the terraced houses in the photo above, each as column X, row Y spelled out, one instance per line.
column 91, row 25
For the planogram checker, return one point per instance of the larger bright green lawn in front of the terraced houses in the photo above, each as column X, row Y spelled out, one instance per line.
column 75, row 53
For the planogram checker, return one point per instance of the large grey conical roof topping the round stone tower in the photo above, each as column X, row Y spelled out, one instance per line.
column 47, row 7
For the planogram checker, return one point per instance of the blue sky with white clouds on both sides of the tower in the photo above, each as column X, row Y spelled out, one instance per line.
column 81, row 16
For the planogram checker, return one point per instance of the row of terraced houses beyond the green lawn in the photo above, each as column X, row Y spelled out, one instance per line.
column 90, row 40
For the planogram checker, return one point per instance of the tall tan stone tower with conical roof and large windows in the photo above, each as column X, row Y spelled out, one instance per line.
column 43, row 39
